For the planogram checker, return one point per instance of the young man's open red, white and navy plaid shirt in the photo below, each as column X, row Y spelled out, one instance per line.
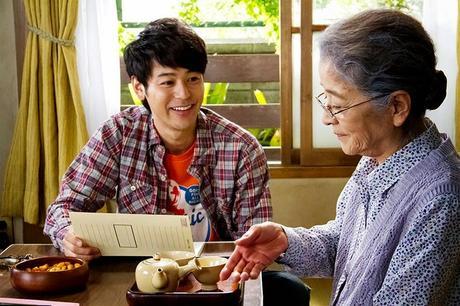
column 124, row 158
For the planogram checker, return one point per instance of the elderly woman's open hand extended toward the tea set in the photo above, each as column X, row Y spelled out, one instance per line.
column 257, row 249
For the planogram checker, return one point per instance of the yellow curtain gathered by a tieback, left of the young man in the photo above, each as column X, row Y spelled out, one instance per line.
column 50, row 127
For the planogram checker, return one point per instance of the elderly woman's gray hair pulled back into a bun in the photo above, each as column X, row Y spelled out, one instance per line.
column 381, row 51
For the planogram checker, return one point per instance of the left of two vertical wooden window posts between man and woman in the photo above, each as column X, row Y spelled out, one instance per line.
column 286, row 81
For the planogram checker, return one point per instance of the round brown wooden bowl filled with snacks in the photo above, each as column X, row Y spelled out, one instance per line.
column 49, row 274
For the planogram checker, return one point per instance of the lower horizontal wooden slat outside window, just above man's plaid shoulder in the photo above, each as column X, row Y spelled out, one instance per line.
column 268, row 116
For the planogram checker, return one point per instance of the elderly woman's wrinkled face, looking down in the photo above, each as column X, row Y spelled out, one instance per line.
column 365, row 129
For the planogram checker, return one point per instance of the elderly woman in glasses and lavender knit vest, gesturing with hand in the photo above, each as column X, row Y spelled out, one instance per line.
column 396, row 236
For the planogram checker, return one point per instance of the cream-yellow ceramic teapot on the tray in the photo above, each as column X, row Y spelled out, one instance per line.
column 161, row 274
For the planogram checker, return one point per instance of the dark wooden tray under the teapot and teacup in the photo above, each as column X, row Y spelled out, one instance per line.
column 189, row 293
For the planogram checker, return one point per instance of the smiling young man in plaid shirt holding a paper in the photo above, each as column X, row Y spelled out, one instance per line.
column 169, row 156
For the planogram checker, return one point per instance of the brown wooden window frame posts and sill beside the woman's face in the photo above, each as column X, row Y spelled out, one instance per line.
column 306, row 161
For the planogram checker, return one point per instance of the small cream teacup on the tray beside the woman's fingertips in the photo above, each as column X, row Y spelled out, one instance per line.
column 208, row 274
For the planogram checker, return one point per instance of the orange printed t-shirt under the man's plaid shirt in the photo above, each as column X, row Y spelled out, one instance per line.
column 184, row 195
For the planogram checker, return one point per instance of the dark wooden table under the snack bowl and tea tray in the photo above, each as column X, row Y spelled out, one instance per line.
column 110, row 277
